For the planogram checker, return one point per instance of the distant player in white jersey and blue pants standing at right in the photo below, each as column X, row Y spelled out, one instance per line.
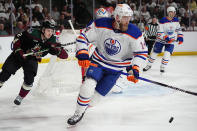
column 168, row 34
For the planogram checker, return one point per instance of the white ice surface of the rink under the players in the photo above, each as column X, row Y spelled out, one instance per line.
column 140, row 107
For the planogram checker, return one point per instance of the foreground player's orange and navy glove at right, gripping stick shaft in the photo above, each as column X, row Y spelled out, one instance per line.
column 133, row 74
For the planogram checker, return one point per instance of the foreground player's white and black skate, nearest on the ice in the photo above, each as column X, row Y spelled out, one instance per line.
column 75, row 118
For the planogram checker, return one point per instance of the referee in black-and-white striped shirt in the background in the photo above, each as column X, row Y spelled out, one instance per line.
column 150, row 33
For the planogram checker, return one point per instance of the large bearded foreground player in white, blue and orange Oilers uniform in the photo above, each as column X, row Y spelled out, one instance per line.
column 119, row 44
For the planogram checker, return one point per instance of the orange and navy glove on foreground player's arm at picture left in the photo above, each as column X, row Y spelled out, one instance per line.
column 83, row 58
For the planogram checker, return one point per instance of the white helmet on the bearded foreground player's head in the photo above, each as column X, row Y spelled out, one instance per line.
column 122, row 10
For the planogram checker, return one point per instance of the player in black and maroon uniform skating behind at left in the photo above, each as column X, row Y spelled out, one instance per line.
column 28, row 49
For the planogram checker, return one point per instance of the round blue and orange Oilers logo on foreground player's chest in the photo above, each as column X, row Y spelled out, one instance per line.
column 112, row 47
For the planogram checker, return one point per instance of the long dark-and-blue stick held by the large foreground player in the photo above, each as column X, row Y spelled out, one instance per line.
column 150, row 81
